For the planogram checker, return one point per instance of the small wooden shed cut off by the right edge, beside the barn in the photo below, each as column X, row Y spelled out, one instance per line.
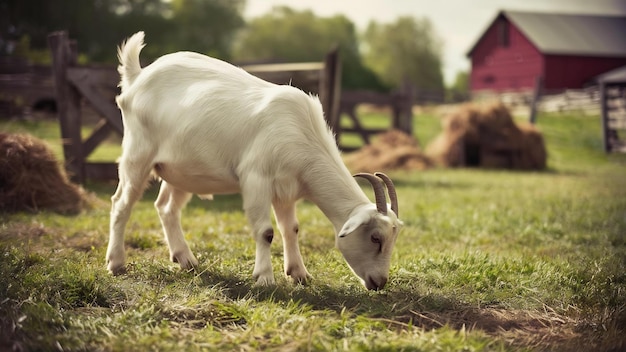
column 613, row 103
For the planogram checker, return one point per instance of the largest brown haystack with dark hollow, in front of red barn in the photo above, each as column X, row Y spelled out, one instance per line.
column 487, row 136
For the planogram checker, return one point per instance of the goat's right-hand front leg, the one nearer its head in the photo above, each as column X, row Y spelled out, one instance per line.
column 285, row 214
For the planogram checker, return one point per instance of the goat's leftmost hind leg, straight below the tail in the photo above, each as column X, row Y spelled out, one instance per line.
column 133, row 179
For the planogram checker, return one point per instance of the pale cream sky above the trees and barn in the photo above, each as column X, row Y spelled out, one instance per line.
column 459, row 23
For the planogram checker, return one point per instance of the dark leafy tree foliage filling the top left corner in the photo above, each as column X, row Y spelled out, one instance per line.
column 98, row 26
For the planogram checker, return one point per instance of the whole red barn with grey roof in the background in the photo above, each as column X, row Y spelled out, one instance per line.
column 567, row 51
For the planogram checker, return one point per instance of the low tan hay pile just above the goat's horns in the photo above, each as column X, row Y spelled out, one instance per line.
column 391, row 150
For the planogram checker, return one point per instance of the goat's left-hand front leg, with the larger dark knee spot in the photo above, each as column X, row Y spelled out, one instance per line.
column 256, row 203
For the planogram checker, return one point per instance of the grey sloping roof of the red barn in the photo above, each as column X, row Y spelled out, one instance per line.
column 569, row 34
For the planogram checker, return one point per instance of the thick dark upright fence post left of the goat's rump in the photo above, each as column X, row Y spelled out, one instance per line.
column 68, row 104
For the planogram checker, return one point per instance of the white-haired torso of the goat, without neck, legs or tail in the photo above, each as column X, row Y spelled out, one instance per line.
column 202, row 113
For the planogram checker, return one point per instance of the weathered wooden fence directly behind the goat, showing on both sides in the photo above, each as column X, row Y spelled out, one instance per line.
column 96, row 86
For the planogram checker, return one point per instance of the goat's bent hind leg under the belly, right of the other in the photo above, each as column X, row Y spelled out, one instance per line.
column 169, row 204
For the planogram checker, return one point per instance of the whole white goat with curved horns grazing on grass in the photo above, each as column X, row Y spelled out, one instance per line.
column 207, row 127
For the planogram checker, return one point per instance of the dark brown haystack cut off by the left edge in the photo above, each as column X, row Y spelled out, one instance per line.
column 31, row 179
